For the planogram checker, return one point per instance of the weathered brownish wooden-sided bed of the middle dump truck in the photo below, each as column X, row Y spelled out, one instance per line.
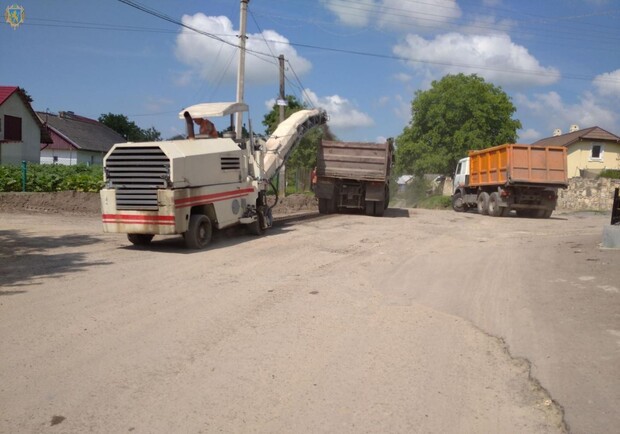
column 353, row 160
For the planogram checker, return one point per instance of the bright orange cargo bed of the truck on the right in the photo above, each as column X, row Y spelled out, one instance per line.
column 518, row 164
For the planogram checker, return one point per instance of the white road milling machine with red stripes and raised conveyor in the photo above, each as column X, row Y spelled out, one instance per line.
column 194, row 186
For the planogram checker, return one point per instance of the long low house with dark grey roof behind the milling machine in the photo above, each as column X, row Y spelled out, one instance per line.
column 76, row 139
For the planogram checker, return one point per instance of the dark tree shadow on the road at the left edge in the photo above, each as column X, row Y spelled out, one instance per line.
column 25, row 258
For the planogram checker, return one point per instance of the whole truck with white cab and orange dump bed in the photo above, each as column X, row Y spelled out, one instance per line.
column 510, row 177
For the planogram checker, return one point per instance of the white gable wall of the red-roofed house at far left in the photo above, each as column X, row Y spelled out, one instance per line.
column 29, row 147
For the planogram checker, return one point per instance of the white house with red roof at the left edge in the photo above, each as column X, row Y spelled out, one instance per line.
column 21, row 131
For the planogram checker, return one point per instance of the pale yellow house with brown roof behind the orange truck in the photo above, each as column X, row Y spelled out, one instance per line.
column 589, row 150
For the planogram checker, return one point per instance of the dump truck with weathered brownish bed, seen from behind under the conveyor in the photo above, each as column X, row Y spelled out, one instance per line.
column 354, row 175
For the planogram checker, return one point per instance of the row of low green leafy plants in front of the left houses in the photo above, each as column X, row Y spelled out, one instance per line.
column 52, row 177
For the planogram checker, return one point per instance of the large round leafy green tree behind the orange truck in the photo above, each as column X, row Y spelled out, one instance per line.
column 457, row 114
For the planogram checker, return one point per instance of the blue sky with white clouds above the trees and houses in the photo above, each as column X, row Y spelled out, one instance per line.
column 361, row 60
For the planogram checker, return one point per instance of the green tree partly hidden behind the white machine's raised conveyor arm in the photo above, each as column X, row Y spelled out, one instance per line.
column 305, row 153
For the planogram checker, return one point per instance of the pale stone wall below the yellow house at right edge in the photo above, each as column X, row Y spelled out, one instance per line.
column 588, row 194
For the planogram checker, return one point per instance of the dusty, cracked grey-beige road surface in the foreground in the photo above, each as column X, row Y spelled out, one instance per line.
column 420, row 321
